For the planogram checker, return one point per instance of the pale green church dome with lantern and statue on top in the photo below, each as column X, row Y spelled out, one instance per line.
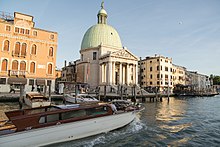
column 101, row 33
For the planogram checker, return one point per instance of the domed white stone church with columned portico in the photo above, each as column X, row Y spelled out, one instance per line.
column 104, row 61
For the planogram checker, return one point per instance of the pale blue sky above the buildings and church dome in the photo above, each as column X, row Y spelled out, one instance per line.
column 188, row 31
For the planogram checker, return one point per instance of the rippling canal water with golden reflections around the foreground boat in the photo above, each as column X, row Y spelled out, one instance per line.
column 182, row 121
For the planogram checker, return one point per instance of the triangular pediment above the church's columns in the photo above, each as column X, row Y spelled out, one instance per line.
column 123, row 53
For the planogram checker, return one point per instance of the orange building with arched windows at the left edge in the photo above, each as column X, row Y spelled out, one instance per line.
column 28, row 54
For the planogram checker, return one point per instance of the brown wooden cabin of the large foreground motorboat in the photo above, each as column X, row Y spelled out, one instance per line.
column 55, row 115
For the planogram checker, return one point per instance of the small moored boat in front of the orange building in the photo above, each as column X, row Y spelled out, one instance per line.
column 35, row 99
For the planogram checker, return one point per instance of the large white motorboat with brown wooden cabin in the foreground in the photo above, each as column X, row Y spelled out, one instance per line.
column 53, row 124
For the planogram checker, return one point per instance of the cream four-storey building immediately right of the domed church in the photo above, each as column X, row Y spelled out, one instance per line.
column 156, row 72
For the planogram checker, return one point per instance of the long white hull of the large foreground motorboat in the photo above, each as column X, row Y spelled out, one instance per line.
column 66, row 132
